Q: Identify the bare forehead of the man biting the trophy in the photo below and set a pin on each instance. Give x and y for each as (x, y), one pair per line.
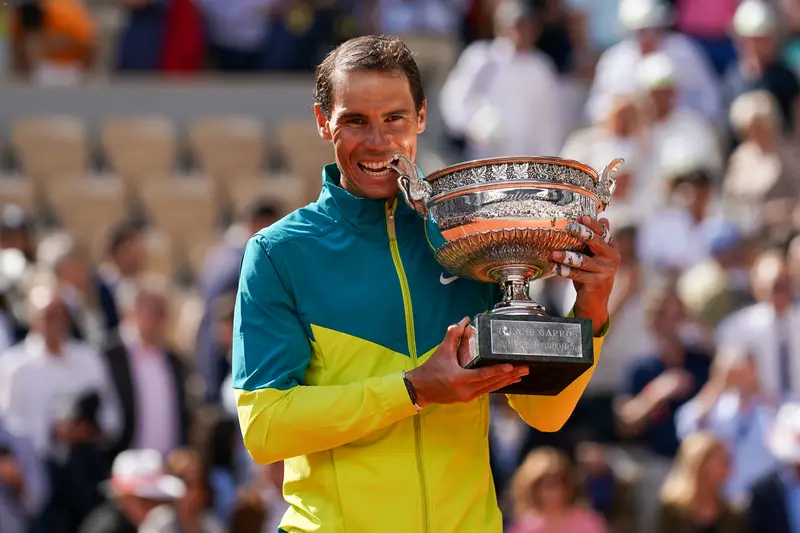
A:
(371, 92)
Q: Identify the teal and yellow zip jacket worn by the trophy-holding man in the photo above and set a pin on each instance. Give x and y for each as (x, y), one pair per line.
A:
(335, 301)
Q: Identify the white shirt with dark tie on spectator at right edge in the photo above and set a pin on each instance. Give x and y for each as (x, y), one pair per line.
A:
(760, 330)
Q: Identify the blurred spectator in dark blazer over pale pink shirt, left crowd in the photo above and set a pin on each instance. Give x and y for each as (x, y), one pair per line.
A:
(149, 378)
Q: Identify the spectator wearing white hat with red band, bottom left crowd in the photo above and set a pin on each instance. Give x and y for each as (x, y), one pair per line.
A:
(138, 484)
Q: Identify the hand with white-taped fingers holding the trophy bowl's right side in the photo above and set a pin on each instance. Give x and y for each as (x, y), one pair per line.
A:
(593, 273)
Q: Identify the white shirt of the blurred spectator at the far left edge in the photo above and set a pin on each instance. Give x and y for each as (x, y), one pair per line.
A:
(36, 387)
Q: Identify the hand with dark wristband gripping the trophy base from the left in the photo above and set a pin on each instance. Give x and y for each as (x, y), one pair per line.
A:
(441, 379)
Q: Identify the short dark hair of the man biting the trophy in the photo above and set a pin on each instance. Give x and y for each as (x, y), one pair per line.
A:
(367, 54)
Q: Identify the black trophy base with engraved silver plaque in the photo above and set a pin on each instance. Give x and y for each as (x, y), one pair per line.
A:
(557, 350)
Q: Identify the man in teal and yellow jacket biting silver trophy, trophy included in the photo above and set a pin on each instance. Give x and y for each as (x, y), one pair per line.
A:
(354, 360)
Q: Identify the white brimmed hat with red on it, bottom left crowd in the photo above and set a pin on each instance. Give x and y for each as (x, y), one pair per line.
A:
(141, 473)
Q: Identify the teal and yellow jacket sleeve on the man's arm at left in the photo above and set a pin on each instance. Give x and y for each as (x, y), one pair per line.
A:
(280, 415)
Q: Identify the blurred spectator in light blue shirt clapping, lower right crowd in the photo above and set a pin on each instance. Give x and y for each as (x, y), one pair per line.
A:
(733, 407)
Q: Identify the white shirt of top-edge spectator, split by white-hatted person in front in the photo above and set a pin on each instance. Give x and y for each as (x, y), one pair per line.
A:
(615, 76)
